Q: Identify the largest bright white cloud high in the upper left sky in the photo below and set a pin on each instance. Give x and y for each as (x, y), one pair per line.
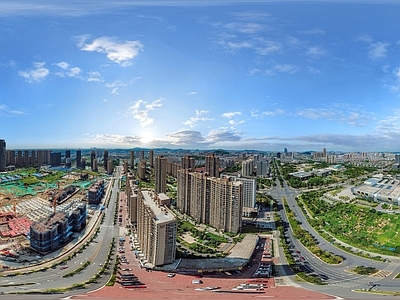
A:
(116, 51)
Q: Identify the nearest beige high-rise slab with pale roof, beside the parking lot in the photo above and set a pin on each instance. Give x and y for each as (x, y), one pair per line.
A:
(156, 229)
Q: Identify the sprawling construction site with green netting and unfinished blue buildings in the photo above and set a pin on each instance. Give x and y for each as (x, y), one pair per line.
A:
(41, 211)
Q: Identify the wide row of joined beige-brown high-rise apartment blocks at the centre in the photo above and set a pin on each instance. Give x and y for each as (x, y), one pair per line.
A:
(214, 201)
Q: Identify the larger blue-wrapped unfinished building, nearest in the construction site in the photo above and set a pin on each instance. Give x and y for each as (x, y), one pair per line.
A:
(55, 231)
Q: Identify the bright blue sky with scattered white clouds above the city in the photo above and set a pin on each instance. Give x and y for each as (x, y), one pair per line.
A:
(261, 75)
